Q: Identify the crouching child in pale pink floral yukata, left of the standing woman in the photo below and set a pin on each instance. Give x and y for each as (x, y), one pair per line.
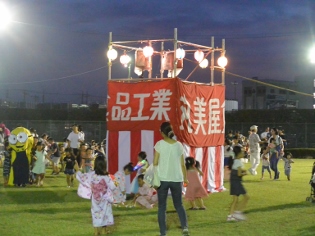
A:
(146, 196)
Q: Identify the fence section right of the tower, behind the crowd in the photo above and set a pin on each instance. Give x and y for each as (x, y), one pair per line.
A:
(298, 135)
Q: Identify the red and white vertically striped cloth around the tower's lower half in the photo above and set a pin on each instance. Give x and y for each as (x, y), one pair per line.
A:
(123, 147)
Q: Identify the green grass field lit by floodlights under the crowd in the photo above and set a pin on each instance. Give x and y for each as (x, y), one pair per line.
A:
(275, 208)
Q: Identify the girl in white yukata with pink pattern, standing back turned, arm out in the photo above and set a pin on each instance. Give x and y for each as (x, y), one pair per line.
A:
(101, 186)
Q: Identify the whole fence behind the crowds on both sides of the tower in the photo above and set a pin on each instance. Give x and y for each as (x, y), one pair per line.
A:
(297, 134)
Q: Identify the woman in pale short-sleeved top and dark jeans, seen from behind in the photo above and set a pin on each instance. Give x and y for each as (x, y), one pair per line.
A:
(171, 170)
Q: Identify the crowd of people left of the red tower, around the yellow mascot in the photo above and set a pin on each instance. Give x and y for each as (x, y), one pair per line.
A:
(45, 151)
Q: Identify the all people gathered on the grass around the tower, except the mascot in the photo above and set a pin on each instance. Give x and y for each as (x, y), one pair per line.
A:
(86, 161)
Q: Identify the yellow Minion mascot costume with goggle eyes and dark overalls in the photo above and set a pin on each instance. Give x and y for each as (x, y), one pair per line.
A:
(21, 142)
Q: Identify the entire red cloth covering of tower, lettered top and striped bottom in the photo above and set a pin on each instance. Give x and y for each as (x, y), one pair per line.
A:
(196, 111)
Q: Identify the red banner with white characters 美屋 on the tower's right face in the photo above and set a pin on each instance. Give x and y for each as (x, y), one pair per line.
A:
(200, 119)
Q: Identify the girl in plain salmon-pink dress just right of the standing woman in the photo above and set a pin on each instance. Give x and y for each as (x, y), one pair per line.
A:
(194, 191)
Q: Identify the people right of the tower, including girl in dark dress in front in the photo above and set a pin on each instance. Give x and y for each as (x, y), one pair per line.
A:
(267, 147)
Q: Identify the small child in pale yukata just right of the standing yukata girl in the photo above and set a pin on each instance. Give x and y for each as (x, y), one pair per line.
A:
(119, 192)
